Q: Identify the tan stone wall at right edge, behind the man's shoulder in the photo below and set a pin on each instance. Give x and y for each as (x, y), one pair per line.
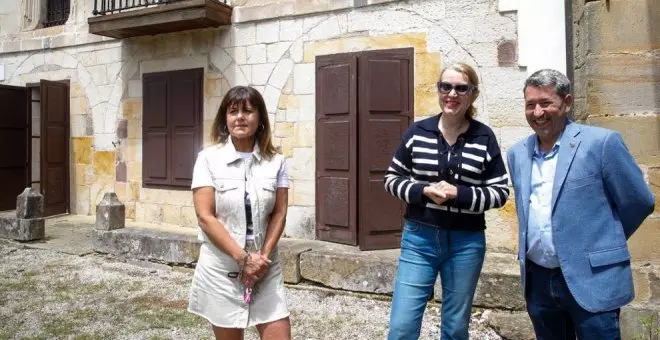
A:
(617, 86)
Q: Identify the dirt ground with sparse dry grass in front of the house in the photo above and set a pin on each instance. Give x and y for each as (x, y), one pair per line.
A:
(46, 294)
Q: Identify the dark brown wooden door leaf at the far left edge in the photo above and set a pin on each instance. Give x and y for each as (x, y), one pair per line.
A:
(14, 142)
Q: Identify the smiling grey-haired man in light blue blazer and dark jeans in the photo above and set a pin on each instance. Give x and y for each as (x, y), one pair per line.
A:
(579, 197)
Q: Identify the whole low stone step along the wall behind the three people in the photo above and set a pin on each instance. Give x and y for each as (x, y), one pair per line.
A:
(331, 265)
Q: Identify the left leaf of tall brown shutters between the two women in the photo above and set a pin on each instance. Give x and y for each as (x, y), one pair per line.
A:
(336, 148)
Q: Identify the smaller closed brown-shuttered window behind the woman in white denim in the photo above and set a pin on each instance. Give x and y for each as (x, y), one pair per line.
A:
(171, 127)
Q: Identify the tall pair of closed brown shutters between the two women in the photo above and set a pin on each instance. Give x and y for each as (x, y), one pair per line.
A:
(355, 138)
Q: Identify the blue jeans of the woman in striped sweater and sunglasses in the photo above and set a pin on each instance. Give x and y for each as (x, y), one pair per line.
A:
(425, 252)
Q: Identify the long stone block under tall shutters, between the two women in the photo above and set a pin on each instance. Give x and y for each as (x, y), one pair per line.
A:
(347, 268)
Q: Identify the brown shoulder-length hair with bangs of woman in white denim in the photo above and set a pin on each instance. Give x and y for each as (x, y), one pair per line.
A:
(240, 96)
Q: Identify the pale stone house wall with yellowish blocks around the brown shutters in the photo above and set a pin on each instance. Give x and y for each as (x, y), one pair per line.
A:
(275, 55)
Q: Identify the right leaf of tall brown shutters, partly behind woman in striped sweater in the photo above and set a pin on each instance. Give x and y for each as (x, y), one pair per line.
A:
(385, 80)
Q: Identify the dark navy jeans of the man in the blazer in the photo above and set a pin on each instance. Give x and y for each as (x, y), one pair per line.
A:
(556, 315)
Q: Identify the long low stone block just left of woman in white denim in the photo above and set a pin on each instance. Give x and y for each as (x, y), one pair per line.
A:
(147, 244)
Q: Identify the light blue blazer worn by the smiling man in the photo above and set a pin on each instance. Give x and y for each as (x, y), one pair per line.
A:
(599, 199)
